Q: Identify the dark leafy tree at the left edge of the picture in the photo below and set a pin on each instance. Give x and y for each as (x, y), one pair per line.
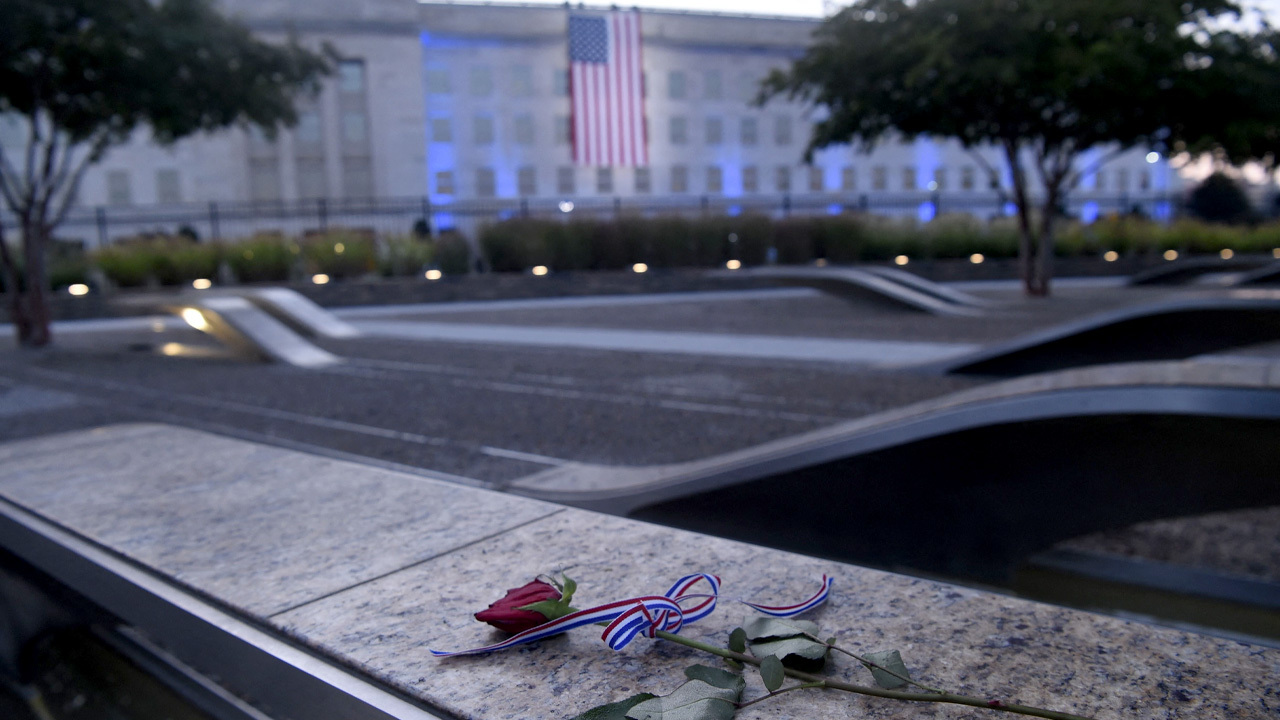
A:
(84, 75)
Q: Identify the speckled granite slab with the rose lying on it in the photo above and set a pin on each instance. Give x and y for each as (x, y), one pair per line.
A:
(962, 640)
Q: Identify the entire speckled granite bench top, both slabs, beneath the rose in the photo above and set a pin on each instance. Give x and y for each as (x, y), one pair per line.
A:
(373, 568)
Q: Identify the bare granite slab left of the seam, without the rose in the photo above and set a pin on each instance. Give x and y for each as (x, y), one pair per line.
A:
(259, 527)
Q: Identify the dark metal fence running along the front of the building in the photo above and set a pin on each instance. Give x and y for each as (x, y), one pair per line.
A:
(403, 216)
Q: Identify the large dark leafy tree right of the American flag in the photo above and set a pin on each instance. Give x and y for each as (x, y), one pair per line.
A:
(1044, 83)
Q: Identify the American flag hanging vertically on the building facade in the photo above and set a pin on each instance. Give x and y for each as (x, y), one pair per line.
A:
(606, 90)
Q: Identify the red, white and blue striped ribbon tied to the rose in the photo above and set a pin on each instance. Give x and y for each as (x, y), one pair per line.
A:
(647, 614)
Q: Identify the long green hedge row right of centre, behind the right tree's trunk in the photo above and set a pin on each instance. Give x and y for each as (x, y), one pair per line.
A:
(674, 241)
